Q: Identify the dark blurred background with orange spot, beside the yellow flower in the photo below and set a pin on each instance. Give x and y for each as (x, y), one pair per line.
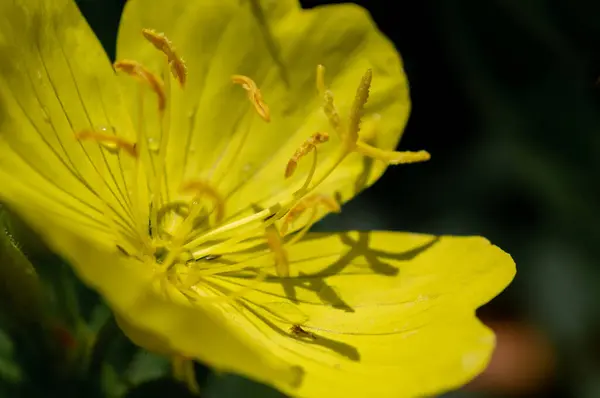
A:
(505, 99)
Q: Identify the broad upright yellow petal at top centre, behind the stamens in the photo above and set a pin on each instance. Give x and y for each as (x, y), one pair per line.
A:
(216, 134)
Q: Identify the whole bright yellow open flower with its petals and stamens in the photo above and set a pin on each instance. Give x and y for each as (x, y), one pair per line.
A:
(180, 183)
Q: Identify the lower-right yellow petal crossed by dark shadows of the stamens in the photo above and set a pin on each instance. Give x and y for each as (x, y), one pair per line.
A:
(379, 313)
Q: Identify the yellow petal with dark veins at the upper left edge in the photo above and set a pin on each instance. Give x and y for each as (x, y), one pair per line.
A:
(56, 81)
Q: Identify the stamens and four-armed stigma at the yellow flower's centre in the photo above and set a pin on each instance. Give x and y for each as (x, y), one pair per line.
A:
(182, 238)
